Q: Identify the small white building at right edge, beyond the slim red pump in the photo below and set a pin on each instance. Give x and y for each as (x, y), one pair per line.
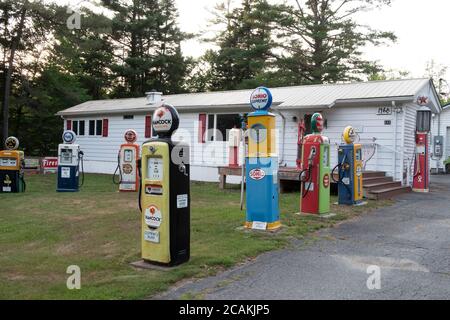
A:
(441, 128)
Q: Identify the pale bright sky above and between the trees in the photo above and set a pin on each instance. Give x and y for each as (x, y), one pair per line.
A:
(420, 25)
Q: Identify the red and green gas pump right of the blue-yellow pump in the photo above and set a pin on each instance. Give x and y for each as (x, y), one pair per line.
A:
(315, 177)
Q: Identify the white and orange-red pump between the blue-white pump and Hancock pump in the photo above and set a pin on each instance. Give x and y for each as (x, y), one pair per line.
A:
(127, 163)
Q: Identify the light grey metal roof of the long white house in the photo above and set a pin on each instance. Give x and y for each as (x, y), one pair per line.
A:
(310, 96)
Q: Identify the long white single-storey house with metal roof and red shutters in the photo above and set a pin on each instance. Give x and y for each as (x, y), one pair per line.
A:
(383, 112)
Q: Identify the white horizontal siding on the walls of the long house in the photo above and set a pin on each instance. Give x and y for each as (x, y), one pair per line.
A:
(101, 152)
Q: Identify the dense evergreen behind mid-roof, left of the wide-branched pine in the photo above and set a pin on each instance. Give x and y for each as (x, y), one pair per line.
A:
(245, 46)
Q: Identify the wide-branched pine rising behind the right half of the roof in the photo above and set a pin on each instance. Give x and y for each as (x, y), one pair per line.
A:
(323, 41)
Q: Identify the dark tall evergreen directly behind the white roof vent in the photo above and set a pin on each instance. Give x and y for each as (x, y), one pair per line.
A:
(147, 43)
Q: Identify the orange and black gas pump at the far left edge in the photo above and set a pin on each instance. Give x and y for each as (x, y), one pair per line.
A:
(11, 168)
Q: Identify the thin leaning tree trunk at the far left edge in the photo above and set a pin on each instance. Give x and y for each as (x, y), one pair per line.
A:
(7, 88)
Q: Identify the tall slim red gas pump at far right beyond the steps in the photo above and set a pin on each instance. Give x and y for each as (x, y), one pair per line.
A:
(421, 179)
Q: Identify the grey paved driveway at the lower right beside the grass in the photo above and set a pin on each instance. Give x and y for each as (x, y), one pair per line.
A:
(409, 242)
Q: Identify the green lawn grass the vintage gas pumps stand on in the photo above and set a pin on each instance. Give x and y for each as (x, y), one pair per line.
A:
(98, 229)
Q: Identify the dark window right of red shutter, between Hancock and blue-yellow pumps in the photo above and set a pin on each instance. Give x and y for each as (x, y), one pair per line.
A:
(220, 124)
